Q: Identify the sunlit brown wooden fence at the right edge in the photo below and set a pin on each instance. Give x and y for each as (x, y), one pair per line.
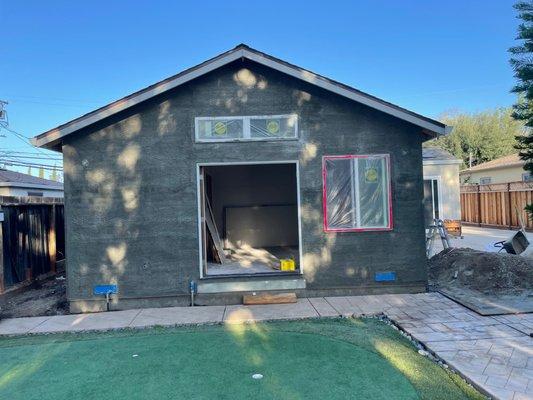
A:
(498, 205)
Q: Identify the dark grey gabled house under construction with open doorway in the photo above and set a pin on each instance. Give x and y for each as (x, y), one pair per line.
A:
(218, 173)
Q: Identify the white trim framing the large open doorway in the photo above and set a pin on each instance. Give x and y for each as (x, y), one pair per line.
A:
(199, 217)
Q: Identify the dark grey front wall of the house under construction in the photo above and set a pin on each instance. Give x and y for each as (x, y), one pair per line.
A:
(131, 197)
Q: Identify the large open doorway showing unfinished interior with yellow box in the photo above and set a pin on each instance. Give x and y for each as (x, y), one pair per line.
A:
(249, 219)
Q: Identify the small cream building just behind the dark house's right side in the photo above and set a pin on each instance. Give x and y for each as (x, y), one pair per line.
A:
(442, 198)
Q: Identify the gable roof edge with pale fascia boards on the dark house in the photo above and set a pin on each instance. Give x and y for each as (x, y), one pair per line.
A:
(50, 138)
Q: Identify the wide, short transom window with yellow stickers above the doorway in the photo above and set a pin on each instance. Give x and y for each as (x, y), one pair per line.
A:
(264, 127)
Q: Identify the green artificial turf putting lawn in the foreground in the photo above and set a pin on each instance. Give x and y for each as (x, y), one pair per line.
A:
(313, 359)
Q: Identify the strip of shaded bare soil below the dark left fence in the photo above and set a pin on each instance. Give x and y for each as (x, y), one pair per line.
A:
(41, 298)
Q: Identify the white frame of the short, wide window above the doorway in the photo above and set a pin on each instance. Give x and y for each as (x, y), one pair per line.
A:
(247, 132)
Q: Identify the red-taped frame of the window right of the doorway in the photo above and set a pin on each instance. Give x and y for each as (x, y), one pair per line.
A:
(355, 180)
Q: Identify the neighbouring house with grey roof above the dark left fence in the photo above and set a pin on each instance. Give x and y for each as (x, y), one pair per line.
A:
(17, 184)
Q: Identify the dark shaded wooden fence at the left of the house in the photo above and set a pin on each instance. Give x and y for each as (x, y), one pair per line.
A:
(32, 239)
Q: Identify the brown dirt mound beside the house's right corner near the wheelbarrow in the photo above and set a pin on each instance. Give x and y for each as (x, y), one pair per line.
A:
(497, 273)
